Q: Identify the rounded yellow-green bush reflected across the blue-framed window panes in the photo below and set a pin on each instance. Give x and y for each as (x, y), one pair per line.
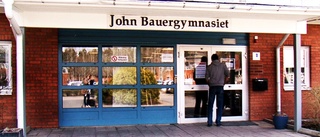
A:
(127, 76)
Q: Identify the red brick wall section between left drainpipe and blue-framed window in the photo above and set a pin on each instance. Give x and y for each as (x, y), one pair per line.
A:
(41, 58)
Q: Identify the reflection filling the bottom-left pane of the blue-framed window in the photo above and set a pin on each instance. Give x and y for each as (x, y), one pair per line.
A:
(76, 98)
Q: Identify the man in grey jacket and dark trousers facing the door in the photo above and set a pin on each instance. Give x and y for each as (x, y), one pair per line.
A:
(216, 75)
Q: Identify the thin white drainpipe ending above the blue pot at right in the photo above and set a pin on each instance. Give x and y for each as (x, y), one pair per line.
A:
(285, 37)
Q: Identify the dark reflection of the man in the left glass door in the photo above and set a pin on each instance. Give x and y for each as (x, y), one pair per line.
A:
(201, 95)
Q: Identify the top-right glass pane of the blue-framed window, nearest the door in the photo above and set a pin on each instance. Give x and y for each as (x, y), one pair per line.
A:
(156, 54)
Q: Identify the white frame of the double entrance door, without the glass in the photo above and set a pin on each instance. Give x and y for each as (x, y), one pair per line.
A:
(211, 50)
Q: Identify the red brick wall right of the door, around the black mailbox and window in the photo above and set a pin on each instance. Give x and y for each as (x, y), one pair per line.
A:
(263, 104)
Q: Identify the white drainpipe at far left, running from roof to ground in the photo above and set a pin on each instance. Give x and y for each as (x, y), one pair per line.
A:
(17, 31)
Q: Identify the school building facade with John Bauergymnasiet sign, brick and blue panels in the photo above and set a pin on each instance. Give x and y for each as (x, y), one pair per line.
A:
(144, 63)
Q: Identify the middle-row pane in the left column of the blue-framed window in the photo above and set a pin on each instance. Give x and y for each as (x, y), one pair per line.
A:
(77, 76)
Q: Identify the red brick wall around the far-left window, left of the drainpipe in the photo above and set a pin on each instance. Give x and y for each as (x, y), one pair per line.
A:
(8, 111)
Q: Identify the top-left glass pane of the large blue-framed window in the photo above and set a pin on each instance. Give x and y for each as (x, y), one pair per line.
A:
(80, 54)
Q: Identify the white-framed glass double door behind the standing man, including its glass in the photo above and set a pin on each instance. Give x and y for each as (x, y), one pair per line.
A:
(193, 90)
